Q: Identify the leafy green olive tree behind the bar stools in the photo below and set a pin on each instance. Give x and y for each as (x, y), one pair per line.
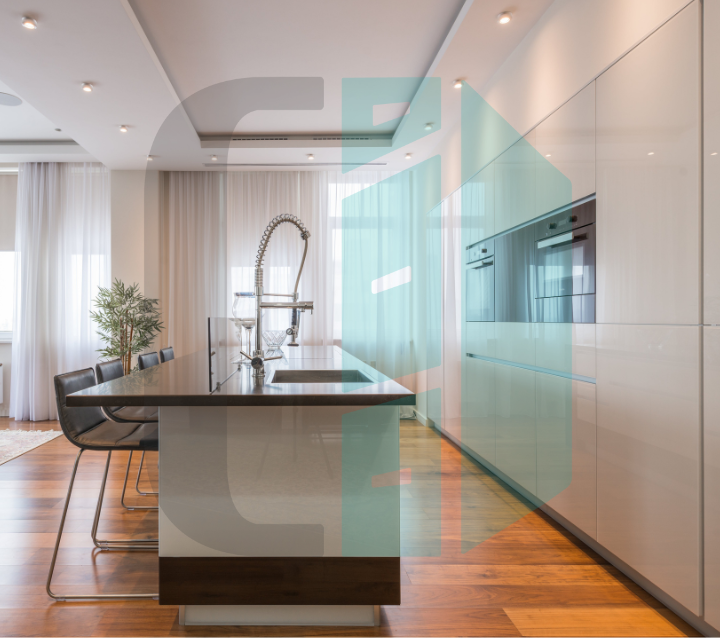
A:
(128, 322)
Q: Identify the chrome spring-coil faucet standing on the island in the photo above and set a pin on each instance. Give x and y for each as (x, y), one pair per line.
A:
(258, 355)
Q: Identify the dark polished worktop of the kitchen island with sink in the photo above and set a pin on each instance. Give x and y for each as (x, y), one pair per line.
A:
(185, 381)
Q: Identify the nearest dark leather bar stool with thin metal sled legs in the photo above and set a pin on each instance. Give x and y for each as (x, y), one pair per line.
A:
(88, 429)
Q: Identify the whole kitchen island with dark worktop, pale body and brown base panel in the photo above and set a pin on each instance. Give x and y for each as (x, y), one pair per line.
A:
(279, 499)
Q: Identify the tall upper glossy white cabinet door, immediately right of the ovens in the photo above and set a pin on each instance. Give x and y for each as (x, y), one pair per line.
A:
(648, 216)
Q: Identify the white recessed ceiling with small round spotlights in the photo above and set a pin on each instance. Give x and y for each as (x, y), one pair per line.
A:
(143, 56)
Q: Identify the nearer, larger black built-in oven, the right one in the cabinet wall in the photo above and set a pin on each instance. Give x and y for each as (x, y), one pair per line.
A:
(565, 266)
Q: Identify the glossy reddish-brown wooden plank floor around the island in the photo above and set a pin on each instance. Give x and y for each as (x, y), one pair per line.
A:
(529, 578)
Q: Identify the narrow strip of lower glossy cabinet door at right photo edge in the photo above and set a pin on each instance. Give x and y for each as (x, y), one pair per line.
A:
(711, 441)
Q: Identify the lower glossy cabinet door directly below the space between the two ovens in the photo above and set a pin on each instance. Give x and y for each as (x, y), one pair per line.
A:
(515, 440)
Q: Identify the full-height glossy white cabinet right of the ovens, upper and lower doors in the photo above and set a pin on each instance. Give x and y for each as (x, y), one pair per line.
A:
(648, 283)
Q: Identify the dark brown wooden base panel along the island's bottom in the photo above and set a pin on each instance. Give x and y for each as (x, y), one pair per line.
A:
(280, 581)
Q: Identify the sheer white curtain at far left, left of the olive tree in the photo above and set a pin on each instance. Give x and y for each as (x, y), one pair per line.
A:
(62, 244)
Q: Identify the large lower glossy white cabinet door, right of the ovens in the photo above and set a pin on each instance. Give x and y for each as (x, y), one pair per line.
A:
(648, 459)
